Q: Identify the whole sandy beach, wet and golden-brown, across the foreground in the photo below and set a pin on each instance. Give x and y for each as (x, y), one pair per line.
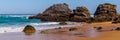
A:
(84, 32)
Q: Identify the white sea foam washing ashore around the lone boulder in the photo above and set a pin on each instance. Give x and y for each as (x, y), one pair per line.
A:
(38, 26)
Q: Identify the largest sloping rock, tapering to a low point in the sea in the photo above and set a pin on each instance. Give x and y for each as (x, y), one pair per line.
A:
(56, 12)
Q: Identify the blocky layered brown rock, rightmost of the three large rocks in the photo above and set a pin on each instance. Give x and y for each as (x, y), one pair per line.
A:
(105, 12)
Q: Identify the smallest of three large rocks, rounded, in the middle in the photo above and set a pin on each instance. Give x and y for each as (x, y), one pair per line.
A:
(80, 14)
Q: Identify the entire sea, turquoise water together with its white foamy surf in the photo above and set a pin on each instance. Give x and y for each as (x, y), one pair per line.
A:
(17, 22)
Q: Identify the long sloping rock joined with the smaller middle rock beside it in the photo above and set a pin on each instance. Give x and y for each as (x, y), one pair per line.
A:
(61, 12)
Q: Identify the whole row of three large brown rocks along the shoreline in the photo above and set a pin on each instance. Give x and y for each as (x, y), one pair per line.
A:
(61, 12)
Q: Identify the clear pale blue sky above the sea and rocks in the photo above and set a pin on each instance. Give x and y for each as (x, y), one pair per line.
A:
(38, 6)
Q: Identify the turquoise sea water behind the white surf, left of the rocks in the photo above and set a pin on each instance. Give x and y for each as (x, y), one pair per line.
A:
(10, 19)
